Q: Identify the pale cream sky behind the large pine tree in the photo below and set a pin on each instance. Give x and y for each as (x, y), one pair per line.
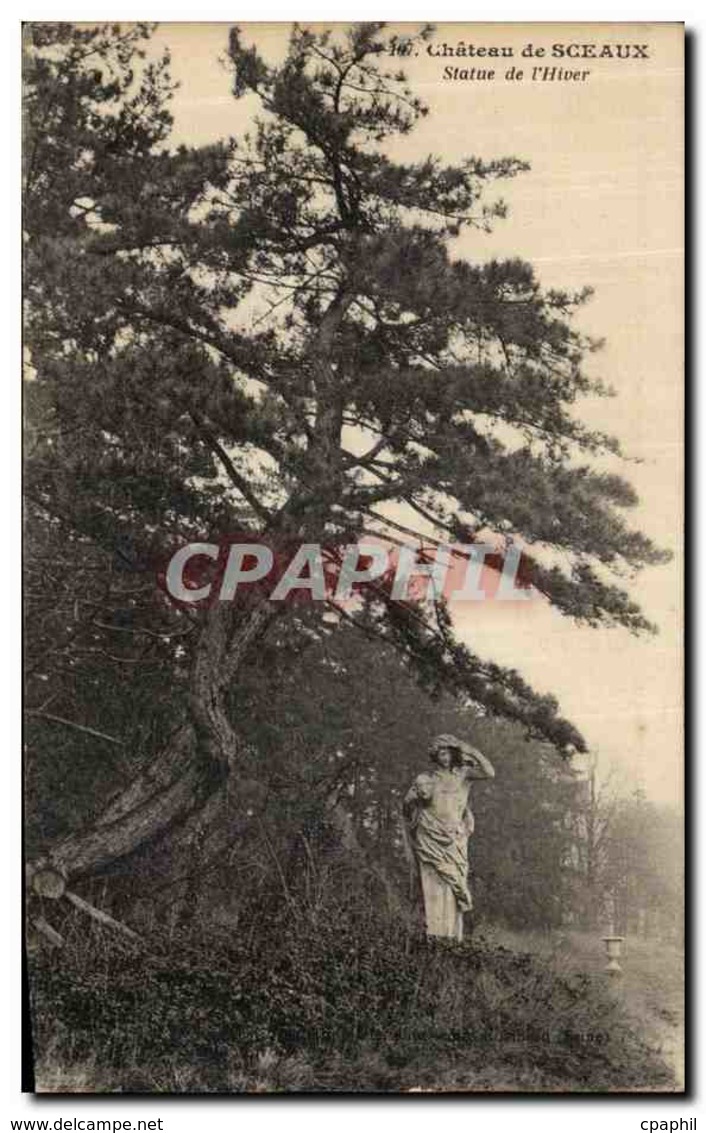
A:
(602, 206)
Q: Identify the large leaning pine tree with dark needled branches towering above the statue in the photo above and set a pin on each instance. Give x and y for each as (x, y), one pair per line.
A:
(273, 336)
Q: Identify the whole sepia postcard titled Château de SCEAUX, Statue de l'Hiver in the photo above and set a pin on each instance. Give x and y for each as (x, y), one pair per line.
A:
(354, 399)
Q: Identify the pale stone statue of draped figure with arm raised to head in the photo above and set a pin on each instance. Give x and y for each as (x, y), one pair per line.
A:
(439, 823)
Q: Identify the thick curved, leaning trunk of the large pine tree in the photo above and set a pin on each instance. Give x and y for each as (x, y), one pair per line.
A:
(197, 777)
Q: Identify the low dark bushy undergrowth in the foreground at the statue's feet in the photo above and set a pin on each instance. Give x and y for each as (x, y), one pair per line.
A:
(335, 999)
